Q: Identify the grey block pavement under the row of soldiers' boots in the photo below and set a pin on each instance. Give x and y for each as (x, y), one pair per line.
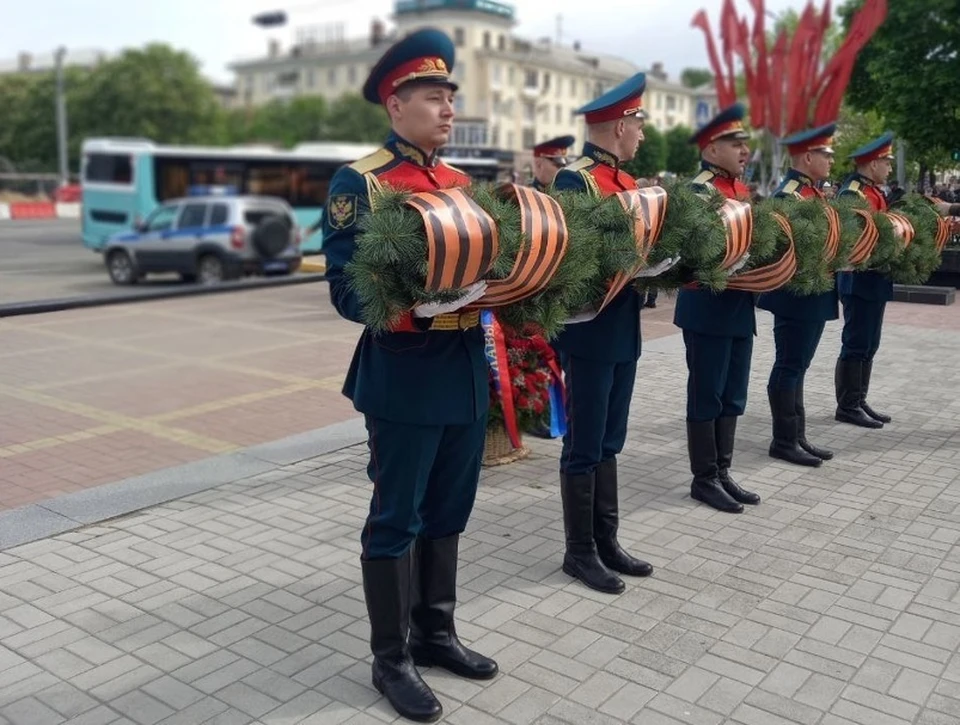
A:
(836, 602)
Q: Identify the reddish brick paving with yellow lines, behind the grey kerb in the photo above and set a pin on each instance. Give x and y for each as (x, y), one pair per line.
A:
(98, 395)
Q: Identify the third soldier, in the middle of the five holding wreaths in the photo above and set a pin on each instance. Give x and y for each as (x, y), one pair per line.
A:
(718, 330)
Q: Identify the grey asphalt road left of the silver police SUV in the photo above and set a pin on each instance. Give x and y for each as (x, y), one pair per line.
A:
(46, 260)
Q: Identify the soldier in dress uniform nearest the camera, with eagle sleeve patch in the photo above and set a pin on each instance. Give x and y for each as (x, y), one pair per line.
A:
(422, 388)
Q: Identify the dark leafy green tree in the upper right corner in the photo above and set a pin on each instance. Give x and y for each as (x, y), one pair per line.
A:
(910, 72)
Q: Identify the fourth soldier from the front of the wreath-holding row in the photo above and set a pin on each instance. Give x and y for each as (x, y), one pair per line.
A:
(798, 320)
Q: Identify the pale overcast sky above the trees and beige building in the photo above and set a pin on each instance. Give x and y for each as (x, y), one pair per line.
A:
(219, 31)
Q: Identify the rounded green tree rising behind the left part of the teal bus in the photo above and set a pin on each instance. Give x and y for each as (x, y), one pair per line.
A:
(155, 92)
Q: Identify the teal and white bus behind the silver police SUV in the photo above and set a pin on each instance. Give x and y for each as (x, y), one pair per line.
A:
(124, 179)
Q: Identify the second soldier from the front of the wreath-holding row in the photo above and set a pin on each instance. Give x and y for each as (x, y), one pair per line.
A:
(599, 358)
